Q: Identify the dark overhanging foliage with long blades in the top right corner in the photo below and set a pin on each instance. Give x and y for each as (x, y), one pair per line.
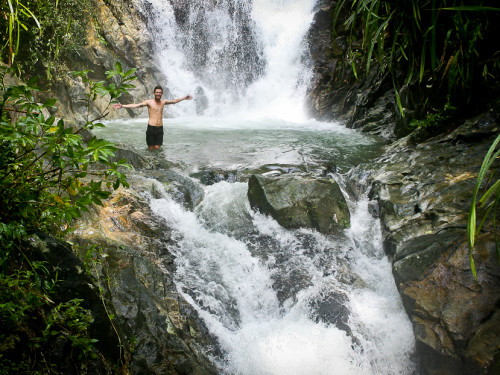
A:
(449, 46)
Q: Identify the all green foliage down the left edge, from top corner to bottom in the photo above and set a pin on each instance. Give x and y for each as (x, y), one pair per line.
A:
(48, 175)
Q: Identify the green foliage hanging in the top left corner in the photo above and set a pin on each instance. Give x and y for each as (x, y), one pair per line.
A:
(39, 35)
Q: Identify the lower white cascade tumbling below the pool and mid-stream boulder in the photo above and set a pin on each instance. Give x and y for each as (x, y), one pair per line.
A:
(288, 302)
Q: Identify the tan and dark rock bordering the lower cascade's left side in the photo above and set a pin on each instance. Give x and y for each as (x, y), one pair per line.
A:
(136, 275)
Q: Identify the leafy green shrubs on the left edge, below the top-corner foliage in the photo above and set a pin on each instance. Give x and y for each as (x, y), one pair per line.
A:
(48, 176)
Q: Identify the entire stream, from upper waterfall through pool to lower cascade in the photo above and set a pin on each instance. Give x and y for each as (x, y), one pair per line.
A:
(278, 301)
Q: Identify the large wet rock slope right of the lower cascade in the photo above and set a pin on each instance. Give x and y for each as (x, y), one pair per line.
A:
(423, 194)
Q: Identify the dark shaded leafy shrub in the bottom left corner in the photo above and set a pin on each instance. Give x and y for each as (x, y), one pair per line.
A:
(31, 324)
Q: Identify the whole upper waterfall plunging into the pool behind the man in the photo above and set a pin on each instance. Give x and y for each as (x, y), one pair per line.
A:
(237, 57)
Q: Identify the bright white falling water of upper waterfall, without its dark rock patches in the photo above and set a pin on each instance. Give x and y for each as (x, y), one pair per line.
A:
(279, 28)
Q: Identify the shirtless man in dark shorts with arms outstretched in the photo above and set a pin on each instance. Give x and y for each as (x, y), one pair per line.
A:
(154, 134)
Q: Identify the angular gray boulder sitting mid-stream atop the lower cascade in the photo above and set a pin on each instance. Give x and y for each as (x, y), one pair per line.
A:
(300, 202)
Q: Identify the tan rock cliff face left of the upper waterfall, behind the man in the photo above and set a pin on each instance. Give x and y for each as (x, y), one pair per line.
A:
(117, 33)
